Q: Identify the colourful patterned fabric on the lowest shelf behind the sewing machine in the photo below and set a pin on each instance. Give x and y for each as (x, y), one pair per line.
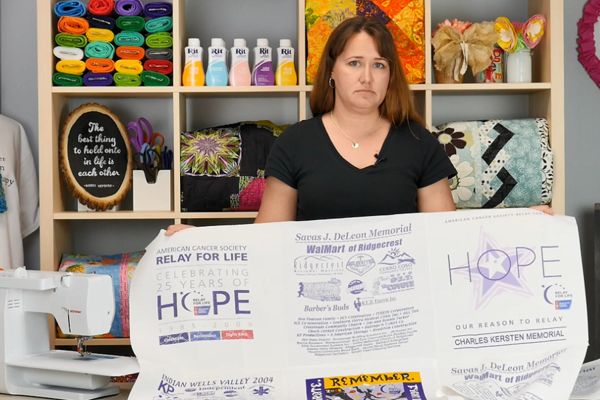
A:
(121, 268)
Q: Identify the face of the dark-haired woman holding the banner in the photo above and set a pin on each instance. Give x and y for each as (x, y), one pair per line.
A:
(361, 75)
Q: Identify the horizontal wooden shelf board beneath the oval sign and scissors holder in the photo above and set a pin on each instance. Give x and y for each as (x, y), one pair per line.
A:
(124, 215)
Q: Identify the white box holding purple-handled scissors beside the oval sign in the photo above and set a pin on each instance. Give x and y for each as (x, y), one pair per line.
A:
(156, 196)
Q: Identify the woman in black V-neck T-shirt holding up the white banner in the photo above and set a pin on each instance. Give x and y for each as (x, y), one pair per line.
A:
(366, 151)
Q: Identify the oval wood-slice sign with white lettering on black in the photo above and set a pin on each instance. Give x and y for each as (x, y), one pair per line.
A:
(96, 157)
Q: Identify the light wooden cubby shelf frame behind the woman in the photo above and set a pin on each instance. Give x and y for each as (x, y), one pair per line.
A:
(546, 99)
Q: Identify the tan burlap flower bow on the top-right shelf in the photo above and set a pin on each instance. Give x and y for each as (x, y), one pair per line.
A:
(458, 45)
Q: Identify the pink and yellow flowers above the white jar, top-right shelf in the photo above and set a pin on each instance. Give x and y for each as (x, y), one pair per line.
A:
(517, 36)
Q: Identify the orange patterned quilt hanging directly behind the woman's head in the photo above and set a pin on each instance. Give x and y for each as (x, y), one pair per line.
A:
(403, 18)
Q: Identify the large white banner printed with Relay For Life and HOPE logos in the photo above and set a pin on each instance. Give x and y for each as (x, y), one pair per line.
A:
(485, 304)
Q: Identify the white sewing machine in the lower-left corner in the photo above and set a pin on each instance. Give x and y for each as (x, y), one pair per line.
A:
(82, 305)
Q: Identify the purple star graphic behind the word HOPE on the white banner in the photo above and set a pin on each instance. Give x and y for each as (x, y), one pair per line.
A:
(495, 270)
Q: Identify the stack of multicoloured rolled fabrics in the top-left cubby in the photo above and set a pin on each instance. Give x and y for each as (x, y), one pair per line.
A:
(113, 42)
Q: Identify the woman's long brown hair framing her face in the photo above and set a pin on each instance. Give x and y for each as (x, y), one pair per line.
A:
(398, 105)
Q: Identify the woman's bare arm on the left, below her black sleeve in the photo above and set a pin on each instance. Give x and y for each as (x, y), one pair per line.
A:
(279, 202)
